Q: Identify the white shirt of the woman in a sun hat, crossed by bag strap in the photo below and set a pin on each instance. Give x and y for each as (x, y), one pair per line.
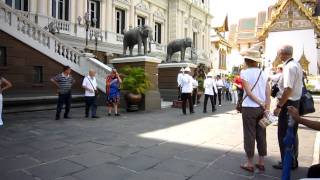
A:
(251, 75)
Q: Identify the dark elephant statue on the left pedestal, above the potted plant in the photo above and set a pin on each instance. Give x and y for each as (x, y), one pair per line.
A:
(140, 36)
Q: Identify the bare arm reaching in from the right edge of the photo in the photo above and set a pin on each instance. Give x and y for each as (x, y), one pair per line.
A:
(296, 116)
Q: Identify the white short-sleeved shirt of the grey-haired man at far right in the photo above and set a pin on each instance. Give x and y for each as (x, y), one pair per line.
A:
(292, 78)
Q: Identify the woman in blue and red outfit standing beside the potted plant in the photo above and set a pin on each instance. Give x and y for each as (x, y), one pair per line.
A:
(113, 82)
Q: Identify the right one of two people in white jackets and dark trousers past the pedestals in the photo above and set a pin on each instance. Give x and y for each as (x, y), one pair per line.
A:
(209, 89)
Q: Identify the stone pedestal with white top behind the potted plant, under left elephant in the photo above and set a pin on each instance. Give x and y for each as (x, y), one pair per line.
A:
(151, 100)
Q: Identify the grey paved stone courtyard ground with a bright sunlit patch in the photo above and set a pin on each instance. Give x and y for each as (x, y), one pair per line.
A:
(161, 145)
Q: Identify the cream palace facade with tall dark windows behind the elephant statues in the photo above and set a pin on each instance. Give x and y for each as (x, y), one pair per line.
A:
(109, 19)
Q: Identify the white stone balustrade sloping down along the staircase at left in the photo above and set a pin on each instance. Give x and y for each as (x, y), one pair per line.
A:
(19, 26)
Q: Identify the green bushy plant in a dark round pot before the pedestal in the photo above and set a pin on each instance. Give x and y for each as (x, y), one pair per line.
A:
(136, 83)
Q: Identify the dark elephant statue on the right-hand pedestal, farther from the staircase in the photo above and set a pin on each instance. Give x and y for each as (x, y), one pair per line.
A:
(176, 46)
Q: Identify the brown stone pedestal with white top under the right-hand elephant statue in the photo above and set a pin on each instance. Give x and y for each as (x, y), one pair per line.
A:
(168, 86)
